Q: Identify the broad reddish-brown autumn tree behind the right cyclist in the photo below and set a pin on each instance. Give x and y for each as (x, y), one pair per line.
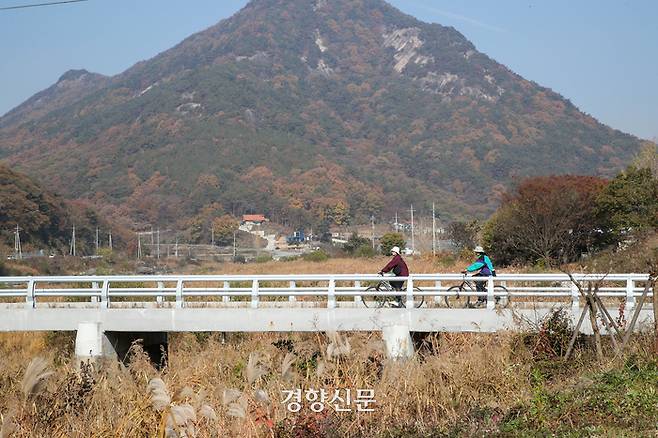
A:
(553, 218)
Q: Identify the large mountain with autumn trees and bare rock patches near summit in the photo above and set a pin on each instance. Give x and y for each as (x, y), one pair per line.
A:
(308, 111)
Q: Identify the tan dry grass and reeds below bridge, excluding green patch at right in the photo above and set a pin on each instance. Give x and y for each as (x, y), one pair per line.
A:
(210, 388)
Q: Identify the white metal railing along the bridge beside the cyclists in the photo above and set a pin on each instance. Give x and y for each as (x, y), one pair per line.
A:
(330, 291)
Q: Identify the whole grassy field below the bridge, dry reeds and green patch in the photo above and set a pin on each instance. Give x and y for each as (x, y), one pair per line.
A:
(457, 385)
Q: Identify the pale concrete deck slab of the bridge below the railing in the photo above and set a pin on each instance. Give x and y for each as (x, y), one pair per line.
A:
(299, 319)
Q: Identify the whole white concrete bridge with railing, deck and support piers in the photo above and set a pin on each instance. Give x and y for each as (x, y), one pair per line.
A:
(108, 312)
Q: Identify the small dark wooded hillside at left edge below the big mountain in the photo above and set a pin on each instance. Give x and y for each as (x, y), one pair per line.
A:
(44, 218)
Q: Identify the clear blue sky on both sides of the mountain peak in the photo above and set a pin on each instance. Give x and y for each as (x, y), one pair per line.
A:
(600, 54)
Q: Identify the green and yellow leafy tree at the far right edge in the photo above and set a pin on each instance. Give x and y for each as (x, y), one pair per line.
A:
(630, 201)
